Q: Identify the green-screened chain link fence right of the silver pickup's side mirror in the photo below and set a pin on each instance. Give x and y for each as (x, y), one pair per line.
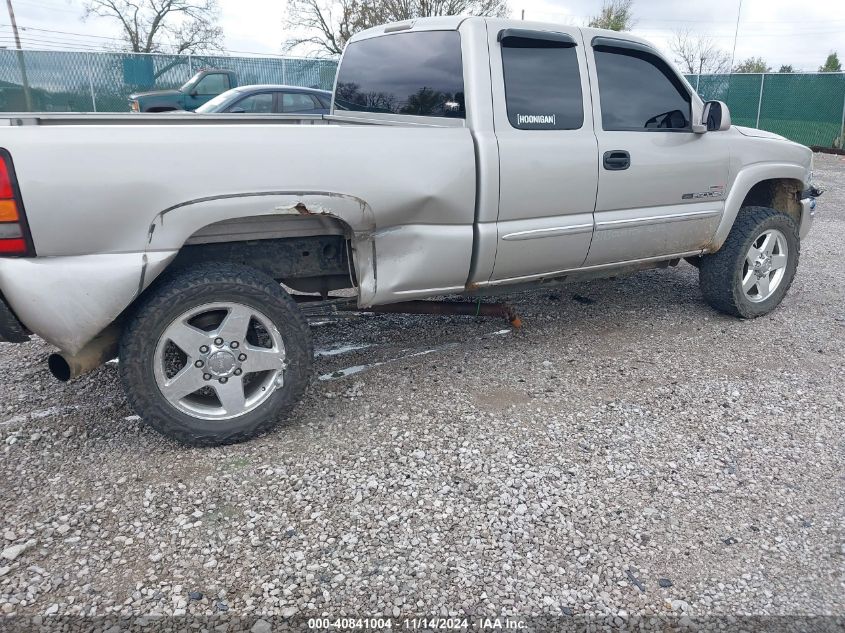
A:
(808, 108)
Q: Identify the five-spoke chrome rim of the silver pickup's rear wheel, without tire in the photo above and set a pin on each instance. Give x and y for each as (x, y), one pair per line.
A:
(219, 361)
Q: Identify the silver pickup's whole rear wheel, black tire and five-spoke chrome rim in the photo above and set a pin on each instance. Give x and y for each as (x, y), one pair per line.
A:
(217, 354)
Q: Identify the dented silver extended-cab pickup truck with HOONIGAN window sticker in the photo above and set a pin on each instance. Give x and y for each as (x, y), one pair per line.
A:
(461, 155)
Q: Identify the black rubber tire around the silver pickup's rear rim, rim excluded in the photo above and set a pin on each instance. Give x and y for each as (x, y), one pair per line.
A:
(196, 286)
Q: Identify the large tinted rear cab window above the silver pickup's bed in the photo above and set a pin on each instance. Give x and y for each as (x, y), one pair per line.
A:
(404, 73)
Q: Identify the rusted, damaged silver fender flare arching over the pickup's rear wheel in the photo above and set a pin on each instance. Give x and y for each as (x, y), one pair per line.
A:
(170, 228)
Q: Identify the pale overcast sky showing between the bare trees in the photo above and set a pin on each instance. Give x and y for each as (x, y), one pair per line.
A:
(780, 31)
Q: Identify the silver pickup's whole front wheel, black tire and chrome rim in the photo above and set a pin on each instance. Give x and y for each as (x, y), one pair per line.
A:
(749, 276)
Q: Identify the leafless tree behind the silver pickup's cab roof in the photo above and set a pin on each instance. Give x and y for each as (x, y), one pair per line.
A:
(327, 25)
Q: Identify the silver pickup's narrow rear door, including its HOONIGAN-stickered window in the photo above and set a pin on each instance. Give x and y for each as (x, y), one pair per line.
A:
(548, 158)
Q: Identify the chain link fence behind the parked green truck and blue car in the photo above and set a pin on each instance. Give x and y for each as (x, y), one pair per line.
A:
(65, 81)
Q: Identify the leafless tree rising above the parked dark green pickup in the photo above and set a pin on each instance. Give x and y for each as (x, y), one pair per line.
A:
(173, 26)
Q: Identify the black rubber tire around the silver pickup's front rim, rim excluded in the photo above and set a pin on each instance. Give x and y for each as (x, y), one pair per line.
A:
(720, 274)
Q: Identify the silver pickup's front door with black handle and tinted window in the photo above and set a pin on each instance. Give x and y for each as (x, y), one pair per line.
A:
(661, 186)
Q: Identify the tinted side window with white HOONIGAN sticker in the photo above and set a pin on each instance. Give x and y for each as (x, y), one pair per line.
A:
(542, 84)
